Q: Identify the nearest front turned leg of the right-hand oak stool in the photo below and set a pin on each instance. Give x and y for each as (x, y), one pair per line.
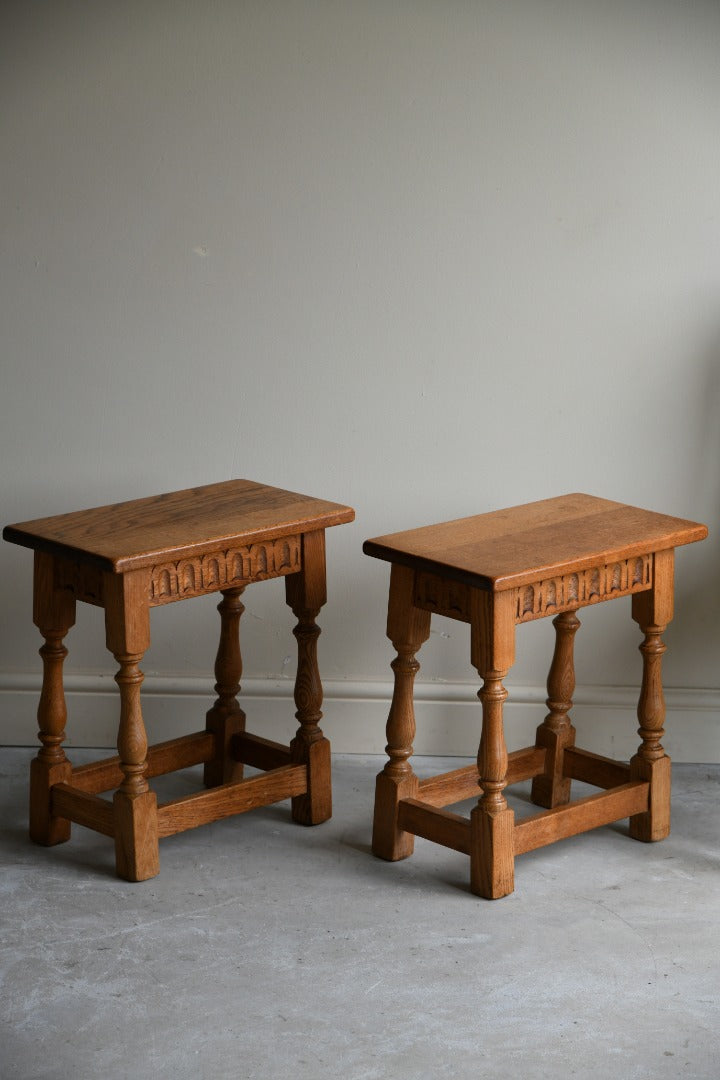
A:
(493, 822)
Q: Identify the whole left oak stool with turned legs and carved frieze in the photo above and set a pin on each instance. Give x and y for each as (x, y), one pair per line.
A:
(133, 557)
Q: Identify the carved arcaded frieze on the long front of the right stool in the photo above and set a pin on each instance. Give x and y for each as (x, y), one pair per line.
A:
(583, 588)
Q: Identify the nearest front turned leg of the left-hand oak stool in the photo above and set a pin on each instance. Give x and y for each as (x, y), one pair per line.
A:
(135, 806)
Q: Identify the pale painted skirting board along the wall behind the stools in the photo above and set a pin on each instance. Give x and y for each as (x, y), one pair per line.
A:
(449, 717)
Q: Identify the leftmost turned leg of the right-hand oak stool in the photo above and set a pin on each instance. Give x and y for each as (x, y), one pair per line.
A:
(407, 629)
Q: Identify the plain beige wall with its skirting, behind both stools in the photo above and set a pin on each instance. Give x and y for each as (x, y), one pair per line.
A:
(426, 259)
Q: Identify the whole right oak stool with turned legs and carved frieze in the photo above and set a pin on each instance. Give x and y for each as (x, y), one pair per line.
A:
(495, 572)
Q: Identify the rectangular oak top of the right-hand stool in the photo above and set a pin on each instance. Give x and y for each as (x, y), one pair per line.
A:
(511, 548)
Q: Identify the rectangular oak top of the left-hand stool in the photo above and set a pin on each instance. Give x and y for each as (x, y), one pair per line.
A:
(127, 536)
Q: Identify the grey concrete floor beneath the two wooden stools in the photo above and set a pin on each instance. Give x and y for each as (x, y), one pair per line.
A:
(267, 951)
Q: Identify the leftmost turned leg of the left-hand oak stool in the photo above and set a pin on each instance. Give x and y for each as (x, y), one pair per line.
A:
(55, 615)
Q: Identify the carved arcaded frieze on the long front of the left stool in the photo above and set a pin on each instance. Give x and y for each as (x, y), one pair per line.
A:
(222, 570)
